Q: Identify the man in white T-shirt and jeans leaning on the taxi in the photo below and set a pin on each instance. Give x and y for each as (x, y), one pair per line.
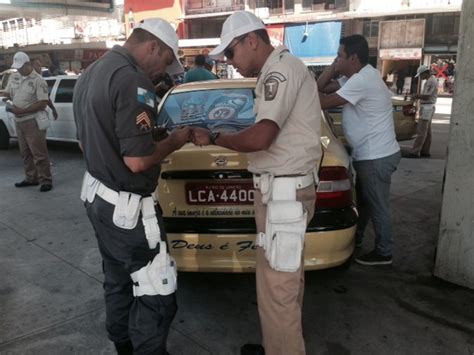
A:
(367, 121)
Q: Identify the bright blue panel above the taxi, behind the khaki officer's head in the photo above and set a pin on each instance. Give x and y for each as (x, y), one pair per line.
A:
(314, 43)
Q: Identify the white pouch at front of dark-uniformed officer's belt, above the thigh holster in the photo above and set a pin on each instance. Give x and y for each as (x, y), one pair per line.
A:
(127, 210)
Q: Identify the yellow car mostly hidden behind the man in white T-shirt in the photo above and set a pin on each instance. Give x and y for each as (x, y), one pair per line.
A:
(404, 114)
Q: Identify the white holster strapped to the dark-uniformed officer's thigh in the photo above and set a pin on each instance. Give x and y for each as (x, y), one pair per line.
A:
(158, 277)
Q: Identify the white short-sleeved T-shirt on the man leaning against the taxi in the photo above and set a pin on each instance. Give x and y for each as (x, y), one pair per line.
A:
(367, 118)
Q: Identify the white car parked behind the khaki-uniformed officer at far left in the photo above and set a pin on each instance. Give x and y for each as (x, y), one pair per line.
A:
(63, 129)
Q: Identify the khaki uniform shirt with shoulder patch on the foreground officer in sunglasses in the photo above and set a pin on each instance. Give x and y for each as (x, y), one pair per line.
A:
(287, 94)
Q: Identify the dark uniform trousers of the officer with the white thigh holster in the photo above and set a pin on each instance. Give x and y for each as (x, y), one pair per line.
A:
(144, 320)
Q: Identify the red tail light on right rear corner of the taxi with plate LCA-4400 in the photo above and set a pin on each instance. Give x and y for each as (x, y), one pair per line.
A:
(334, 189)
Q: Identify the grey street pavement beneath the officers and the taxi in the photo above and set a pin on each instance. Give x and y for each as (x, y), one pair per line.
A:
(51, 290)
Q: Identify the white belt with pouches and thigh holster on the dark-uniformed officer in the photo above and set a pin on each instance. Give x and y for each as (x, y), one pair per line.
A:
(159, 276)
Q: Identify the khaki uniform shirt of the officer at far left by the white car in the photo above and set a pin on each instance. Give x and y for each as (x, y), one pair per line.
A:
(26, 90)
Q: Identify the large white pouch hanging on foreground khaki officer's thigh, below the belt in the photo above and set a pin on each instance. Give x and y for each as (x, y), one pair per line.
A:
(284, 235)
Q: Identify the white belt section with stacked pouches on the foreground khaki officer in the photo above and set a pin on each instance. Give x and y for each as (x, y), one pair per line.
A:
(285, 227)
